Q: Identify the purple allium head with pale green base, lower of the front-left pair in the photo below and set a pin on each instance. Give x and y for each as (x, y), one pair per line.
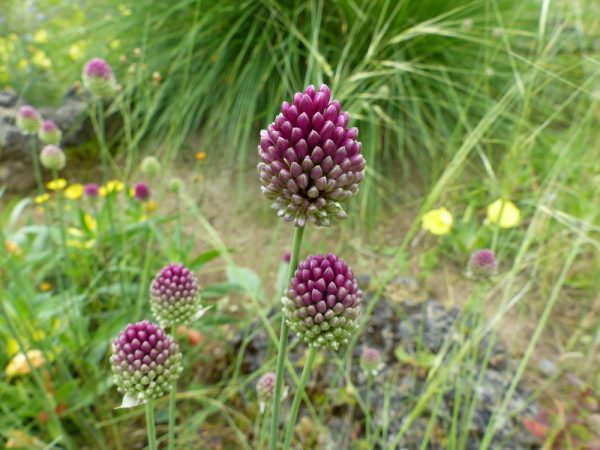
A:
(145, 361)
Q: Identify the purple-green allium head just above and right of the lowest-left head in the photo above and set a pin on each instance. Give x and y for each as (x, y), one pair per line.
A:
(175, 295)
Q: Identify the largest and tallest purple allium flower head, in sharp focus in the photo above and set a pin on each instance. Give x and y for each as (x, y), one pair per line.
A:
(310, 160)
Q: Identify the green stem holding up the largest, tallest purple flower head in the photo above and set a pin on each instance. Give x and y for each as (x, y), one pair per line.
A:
(281, 352)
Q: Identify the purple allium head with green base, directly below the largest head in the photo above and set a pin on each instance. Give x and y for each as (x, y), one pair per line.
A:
(323, 301)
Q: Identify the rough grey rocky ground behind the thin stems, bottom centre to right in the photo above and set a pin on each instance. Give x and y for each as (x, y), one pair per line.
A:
(410, 335)
